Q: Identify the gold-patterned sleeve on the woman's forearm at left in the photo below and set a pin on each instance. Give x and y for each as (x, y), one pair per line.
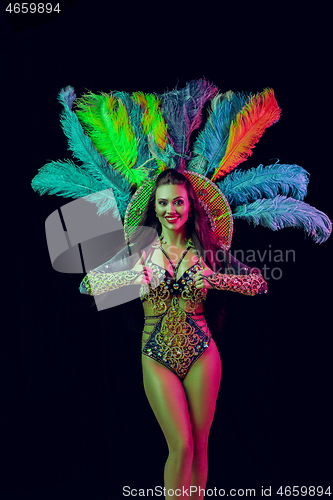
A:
(98, 283)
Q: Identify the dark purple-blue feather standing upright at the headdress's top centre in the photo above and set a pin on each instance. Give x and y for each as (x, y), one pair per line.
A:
(181, 110)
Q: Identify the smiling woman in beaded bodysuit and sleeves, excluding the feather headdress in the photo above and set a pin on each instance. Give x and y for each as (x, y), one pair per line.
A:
(180, 361)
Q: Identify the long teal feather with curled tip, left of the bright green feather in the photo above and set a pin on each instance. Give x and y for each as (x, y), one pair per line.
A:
(93, 162)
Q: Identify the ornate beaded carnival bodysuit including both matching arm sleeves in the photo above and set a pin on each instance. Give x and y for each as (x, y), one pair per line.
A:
(175, 332)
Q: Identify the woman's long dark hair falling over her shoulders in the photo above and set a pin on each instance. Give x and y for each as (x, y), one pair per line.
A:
(197, 226)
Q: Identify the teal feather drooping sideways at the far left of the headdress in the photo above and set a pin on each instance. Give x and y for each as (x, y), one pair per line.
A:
(64, 178)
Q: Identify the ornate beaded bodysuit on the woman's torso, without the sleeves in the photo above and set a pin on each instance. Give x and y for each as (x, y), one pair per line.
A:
(176, 334)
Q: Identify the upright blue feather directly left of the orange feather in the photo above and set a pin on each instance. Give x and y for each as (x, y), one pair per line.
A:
(210, 145)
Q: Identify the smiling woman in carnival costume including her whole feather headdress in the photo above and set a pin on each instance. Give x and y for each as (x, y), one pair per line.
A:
(122, 140)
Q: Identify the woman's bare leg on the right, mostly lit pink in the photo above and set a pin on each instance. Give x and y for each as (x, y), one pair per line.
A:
(201, 385)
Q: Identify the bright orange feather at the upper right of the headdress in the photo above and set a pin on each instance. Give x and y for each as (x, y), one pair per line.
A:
(259, 113)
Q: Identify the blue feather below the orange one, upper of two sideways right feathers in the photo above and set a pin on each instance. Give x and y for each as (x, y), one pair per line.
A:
(265, 182)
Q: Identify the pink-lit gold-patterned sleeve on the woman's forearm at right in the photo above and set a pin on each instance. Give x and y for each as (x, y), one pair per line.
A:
(250, 284)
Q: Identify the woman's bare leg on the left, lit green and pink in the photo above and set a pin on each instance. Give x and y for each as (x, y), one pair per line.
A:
(166, 396)
